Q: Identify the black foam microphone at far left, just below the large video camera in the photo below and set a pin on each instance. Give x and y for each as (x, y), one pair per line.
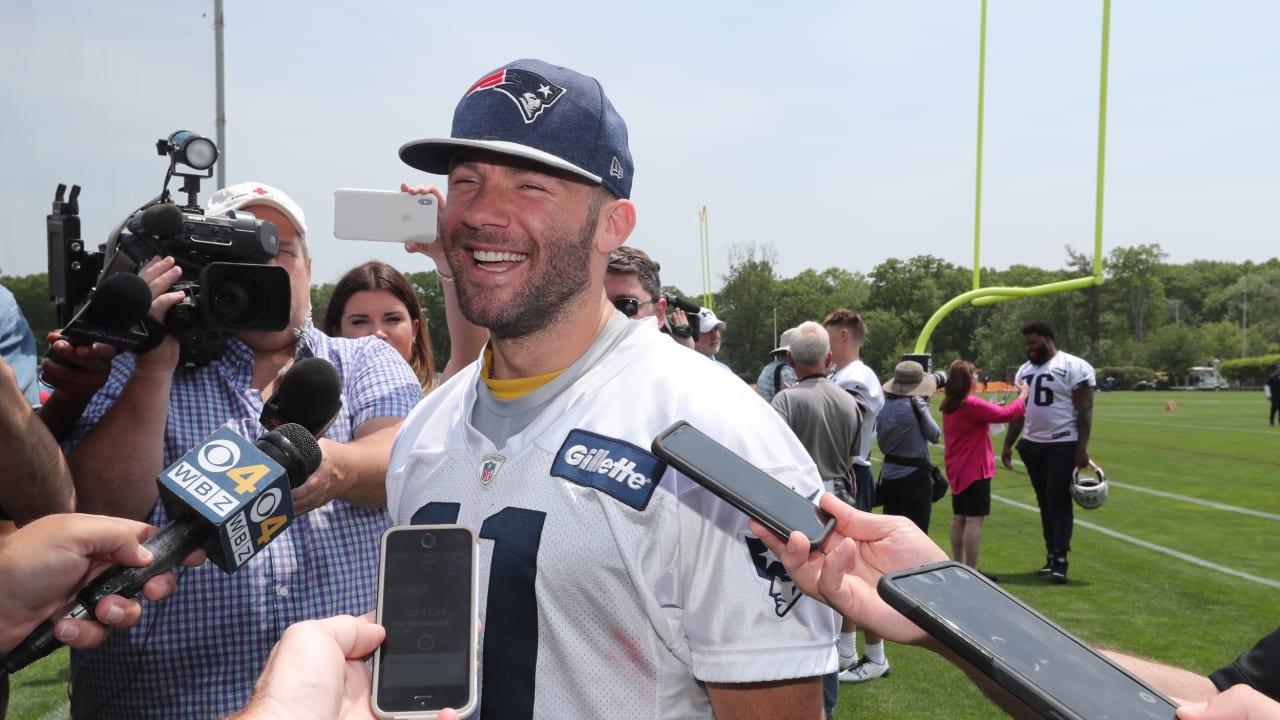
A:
(112, 316)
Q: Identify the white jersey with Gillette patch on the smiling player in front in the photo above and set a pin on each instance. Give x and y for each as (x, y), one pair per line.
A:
(611, 586)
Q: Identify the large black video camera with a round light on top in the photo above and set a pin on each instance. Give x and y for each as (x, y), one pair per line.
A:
(227, 289)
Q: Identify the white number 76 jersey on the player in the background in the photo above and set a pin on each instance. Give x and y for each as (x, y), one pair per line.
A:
(1050, 412)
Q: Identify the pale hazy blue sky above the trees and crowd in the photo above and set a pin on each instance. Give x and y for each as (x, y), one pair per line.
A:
(842, 134)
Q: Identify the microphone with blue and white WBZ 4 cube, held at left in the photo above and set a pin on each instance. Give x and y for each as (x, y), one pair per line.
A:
(226, 495)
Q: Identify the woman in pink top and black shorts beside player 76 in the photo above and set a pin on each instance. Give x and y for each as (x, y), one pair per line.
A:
(971, 464)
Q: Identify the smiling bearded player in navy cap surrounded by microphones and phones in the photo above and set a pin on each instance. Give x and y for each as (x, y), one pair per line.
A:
(610, 585)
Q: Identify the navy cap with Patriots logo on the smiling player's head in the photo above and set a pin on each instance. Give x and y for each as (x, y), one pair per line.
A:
(541, 112)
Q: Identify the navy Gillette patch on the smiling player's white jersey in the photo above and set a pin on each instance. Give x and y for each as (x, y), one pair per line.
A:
(614, 467)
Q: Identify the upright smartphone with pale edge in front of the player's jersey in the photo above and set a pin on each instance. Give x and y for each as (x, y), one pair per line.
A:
(427, 600)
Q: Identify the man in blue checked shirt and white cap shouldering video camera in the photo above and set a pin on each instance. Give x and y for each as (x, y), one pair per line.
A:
(202, 651)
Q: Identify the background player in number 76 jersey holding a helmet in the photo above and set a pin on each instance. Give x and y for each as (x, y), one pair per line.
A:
(1058, 423)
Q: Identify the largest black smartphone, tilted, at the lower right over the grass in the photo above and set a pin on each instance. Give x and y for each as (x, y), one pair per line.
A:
(1052, 671)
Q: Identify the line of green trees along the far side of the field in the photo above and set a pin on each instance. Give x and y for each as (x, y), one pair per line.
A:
(1148, 317)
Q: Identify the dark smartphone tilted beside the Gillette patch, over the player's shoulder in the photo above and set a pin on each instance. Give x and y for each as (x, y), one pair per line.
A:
(742, 485)
